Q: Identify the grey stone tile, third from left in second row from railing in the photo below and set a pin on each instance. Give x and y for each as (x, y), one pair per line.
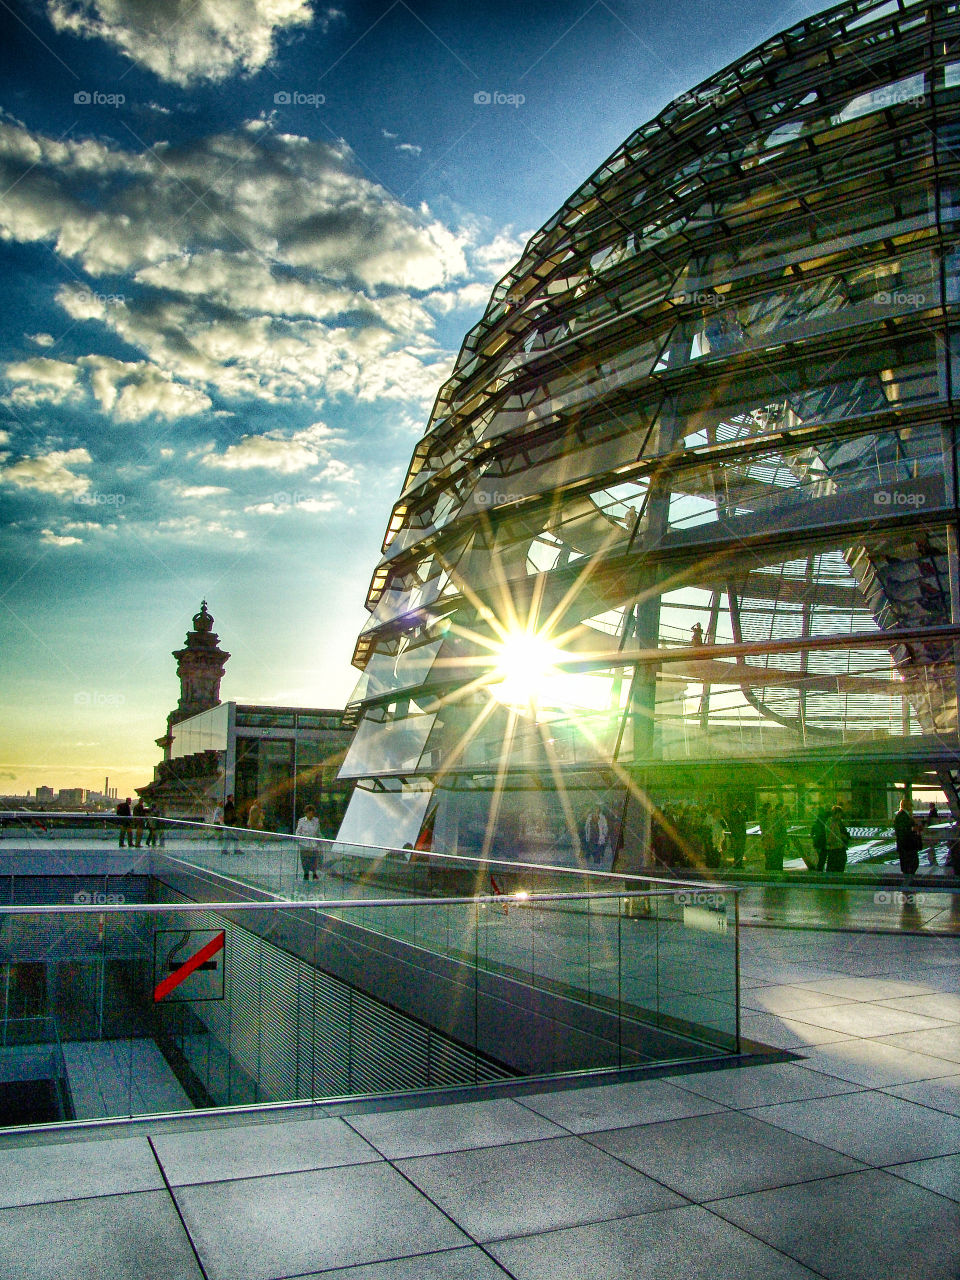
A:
(534, 1187)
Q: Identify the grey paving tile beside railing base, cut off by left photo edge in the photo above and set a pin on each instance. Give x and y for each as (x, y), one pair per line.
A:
(71, 1171)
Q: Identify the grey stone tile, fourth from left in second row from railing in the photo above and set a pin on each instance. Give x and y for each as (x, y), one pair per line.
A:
(706, 1158)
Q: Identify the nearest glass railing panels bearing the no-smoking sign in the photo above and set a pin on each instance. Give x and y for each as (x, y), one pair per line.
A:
(166, 1005)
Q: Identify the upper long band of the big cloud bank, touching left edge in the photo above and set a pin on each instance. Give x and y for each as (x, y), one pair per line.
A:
(295, 202)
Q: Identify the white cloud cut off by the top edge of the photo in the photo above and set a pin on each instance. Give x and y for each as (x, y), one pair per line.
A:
(186, 43)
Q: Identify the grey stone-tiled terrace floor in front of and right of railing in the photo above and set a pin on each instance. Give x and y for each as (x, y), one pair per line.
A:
(844, 1163)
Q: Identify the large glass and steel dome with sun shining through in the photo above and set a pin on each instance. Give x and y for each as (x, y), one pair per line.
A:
(719, 390)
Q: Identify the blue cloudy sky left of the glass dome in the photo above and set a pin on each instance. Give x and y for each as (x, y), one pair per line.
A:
(241, 243)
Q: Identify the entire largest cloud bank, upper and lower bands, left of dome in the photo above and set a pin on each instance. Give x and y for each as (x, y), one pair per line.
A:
(249, 266)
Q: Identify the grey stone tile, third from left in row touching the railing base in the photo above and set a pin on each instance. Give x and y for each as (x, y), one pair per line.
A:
(431, 1131)
